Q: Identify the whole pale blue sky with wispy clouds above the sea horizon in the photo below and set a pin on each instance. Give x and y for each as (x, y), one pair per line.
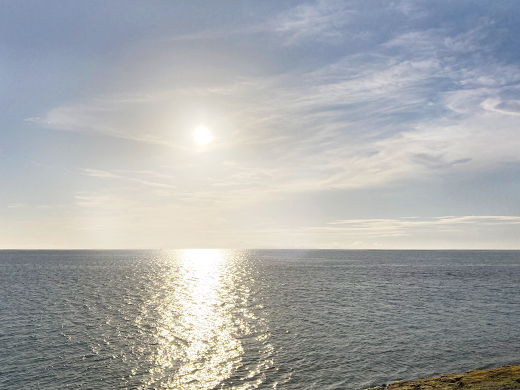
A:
(355, 124)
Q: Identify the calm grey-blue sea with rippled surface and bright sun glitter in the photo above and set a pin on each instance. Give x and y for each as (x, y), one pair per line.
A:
(210, 319)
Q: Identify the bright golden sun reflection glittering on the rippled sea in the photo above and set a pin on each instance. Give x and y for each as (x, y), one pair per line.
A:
(204, 315)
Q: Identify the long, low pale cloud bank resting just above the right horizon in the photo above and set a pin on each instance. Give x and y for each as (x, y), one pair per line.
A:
(449, 232)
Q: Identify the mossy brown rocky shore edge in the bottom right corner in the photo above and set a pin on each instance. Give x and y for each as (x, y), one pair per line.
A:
(503, 378)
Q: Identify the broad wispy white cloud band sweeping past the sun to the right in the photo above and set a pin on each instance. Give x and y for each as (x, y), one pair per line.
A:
(365, 120)
